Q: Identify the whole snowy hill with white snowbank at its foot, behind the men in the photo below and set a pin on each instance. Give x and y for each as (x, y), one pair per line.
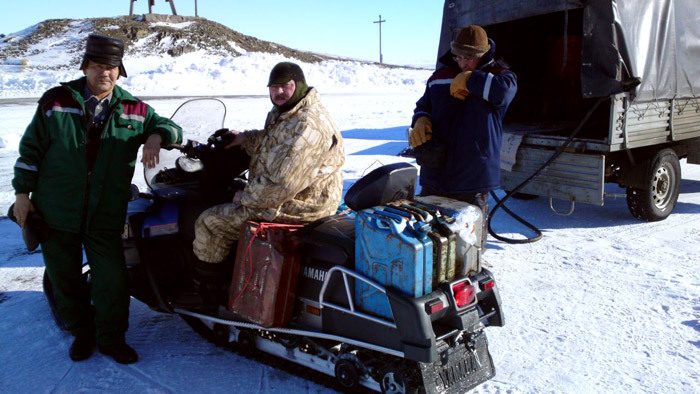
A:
(178, 56)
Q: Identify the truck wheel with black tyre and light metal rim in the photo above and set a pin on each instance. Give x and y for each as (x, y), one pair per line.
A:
(657, 200)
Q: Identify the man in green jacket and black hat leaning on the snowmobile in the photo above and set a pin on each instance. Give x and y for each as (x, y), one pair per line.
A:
(76, 161)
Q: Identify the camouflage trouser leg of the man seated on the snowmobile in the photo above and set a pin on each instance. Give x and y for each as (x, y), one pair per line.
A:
(218, 228)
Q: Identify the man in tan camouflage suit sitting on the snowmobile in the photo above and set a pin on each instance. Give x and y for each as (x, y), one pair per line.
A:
(294, 174)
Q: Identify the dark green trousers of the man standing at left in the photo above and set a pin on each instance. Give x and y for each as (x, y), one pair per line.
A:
(108, 316)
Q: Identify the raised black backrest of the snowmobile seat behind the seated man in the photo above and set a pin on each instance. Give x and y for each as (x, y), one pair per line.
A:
(383, 185)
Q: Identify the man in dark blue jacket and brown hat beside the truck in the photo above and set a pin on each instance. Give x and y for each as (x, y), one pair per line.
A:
(462, 110)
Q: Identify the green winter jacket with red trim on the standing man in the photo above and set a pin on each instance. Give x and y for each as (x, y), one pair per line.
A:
(52, 163)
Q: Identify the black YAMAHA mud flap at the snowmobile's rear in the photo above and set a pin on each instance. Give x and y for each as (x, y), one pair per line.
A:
(460, 368)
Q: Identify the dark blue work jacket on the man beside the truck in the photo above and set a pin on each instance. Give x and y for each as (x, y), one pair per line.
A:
(471, 128)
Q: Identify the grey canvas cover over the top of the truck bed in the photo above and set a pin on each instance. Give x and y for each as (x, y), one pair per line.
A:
(655, 40)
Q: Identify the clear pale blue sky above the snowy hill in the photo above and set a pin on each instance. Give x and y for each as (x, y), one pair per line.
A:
(409, 35)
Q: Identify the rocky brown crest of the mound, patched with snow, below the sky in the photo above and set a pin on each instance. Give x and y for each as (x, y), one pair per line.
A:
(144, 35)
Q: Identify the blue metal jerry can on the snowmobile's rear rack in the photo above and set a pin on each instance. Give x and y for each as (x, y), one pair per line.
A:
(394, 251)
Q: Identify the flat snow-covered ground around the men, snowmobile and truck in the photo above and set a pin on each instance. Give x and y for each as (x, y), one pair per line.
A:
(603, 303)
